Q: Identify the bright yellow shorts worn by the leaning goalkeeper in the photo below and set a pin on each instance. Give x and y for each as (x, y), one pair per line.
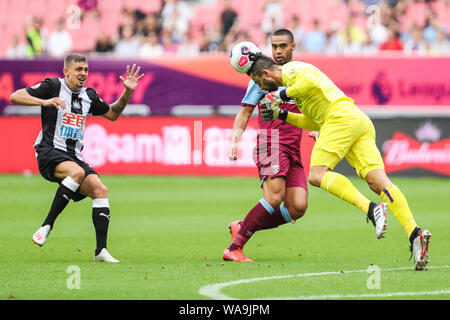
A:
(347, 132)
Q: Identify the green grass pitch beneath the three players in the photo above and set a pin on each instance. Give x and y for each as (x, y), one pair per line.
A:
(170, 232)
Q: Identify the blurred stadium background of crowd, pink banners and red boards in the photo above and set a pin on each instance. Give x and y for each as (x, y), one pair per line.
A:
(391, 56)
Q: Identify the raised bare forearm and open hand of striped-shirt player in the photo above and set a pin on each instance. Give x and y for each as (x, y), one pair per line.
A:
(130, 83)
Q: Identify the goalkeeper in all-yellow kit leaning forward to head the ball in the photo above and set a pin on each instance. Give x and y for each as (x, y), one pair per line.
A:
(345, 131)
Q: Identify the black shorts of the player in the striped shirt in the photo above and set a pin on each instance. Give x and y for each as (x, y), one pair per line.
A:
(49, 158)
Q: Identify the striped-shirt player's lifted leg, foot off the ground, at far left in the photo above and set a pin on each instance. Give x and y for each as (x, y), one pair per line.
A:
(71, 175)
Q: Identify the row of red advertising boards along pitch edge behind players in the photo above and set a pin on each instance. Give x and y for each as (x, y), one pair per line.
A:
(199, 146)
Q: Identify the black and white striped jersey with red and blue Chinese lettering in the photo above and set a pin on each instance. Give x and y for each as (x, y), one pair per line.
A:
(64, 129)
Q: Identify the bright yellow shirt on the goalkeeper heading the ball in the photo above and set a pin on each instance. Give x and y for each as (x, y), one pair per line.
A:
(313, 92)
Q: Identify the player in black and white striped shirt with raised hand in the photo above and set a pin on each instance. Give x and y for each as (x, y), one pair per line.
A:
(65, 103)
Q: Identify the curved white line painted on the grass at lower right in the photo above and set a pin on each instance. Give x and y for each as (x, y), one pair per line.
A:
(213, 291)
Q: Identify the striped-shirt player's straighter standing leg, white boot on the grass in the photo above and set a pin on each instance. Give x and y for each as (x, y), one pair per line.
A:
(95, 189)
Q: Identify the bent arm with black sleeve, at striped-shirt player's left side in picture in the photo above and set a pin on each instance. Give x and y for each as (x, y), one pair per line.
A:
(38, 95)
